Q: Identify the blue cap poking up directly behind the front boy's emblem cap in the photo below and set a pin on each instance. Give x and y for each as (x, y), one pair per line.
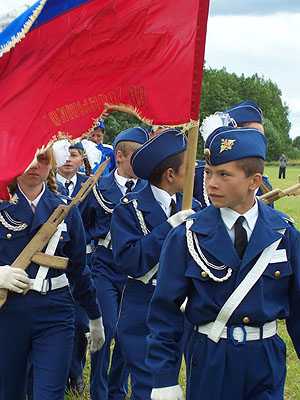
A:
(244, 112)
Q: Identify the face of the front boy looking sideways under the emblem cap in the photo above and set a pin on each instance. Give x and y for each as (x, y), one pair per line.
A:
(228, 186)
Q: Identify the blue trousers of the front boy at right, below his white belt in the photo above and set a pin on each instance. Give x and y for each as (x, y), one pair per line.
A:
(255, 370)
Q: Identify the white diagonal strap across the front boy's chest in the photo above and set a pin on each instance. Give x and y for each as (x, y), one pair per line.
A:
(242, 290)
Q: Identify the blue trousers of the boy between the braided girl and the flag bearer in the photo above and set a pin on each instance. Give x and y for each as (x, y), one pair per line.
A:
(112, 385)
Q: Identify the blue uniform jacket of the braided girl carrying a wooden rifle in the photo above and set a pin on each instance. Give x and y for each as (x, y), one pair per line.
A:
(71, 245)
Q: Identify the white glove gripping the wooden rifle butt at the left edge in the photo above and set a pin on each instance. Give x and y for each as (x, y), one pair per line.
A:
(13, 279)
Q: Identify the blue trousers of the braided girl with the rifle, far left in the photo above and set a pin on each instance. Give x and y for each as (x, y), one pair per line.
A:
(42, 327)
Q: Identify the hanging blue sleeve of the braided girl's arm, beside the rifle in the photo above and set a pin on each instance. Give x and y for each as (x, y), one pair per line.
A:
(78, 273)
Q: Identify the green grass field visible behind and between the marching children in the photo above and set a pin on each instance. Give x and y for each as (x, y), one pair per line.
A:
(290, 206)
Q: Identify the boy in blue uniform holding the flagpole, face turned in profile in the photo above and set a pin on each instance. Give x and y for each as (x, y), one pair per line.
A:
(140, 224)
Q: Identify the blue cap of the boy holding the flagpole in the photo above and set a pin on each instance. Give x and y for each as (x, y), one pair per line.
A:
(160, 147)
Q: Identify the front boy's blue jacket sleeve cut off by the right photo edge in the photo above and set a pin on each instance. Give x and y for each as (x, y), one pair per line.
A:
(293, 321)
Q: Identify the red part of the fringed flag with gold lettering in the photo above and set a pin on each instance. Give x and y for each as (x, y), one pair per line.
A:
(144, 53)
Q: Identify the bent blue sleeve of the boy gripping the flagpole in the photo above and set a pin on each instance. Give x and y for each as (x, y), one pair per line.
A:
(135, 253)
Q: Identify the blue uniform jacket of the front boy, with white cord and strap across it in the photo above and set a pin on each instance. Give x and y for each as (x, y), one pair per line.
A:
(276, 295)
